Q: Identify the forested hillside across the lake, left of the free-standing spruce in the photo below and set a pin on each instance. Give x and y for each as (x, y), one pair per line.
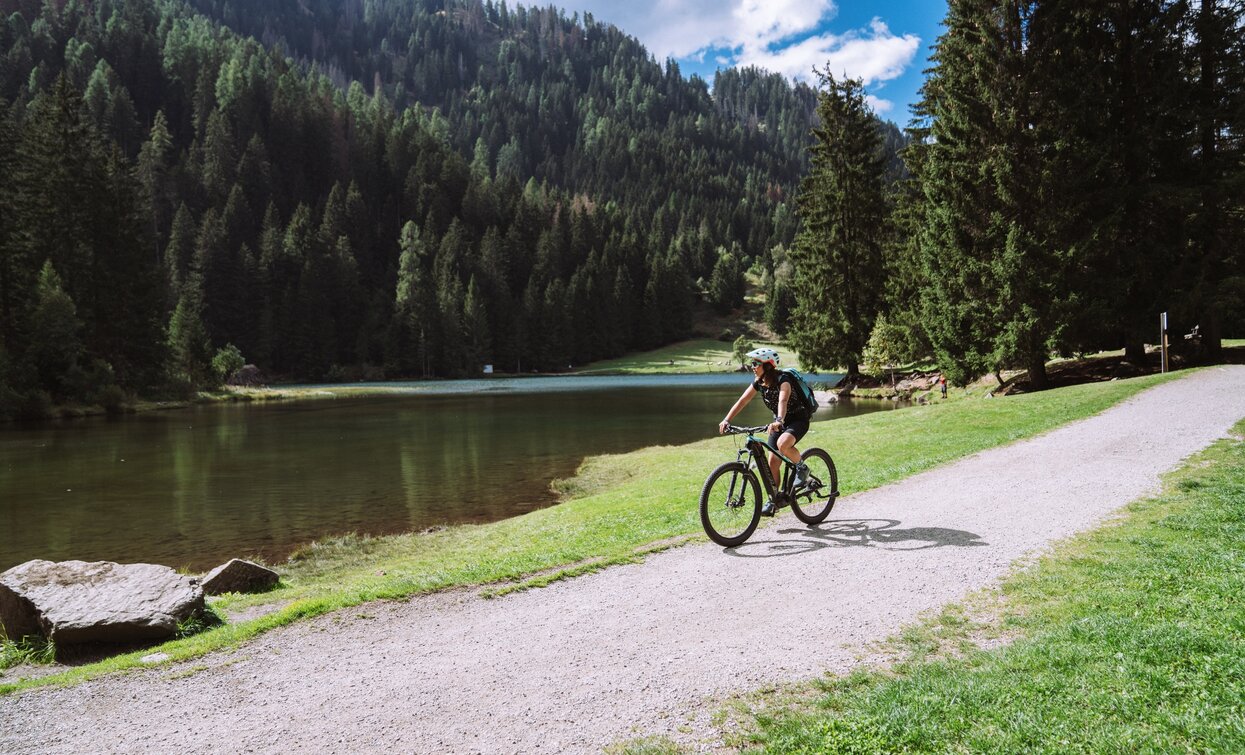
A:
(384, 189)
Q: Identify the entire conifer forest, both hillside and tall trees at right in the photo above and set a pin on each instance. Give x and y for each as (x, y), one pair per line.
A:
(342, 190)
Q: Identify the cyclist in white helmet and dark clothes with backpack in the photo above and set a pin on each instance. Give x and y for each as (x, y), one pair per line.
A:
(791, 417)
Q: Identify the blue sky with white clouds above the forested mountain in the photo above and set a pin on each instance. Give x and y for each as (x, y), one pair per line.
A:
(887, 44)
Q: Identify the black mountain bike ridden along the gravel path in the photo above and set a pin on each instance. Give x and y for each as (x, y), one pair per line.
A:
(730, 514)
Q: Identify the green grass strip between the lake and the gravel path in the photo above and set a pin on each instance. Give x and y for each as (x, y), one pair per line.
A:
(613, 509)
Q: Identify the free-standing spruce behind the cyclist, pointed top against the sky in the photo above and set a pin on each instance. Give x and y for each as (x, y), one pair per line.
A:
(839, 256)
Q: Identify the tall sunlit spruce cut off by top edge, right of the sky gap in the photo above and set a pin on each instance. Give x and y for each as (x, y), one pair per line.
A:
(992, 246)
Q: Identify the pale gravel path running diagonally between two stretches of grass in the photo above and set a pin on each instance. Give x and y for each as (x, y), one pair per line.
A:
(636, 650)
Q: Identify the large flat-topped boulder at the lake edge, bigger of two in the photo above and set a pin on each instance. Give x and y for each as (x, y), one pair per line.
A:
(78, 602)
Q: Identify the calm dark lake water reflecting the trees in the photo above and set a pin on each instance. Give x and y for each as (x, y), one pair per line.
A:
(195, 488)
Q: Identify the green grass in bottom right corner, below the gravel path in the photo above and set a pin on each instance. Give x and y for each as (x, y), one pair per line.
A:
(1130, 640)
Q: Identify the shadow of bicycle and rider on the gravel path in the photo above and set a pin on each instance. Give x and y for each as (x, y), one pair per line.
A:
(858, 534)
